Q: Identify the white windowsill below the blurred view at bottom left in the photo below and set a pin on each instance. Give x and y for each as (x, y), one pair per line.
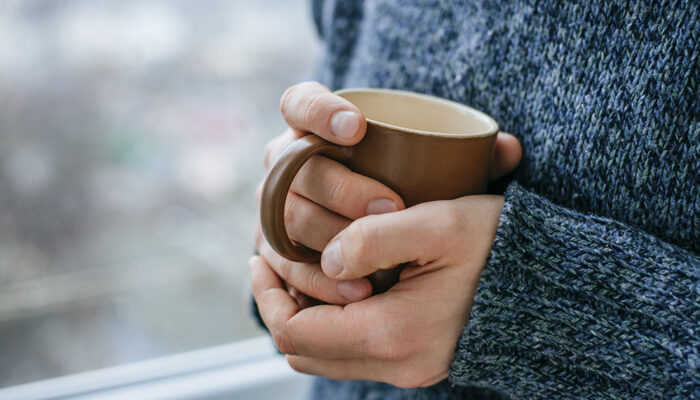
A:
(247, 369)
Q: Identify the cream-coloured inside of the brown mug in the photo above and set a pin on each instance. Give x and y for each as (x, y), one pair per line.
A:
(420, 113)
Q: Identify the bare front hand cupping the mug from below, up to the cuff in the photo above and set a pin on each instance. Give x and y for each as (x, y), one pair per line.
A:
(406, 336)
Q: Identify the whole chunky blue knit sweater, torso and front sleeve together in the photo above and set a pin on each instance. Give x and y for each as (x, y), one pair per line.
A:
(591, 289)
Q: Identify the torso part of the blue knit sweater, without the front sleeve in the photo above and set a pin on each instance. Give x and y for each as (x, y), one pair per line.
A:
(602, 95)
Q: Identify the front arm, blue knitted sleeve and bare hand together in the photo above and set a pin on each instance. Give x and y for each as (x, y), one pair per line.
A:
(564, 309)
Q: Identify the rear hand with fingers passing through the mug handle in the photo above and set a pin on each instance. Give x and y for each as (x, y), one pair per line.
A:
(325, 197)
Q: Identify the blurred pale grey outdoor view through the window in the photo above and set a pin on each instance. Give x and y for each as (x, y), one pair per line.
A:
(131, 137)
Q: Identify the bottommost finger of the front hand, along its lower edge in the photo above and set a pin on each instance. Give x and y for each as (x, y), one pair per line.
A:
(392, 372)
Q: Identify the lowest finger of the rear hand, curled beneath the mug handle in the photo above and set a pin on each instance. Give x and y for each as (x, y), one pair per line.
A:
(309, 279)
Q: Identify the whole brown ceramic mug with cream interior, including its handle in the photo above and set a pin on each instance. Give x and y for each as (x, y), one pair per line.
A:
(424, 148)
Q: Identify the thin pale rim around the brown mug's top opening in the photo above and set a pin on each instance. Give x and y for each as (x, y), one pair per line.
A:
(479, 114)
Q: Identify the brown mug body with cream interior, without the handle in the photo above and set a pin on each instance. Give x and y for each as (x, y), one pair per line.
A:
(422, 147)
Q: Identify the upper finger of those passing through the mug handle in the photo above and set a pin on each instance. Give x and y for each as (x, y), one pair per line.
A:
(335, 187)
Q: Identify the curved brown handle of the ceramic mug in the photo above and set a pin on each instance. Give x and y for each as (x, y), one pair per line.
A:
(276, 187)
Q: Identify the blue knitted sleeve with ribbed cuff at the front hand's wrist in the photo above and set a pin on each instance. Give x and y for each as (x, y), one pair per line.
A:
(576, 306)
